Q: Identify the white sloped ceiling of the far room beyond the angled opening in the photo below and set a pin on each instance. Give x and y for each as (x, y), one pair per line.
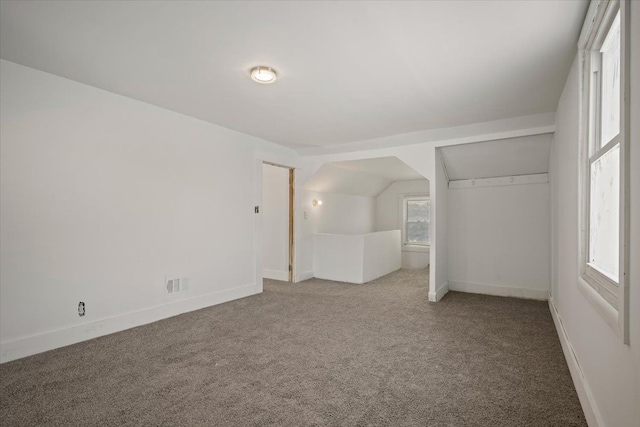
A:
(368, 177)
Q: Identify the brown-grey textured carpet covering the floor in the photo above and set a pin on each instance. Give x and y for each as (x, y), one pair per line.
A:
(314, 353)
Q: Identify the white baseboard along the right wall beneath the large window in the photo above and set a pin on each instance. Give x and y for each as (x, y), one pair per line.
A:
(587, 402)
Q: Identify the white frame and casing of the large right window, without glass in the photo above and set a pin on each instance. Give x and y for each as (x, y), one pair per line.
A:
(609, 297)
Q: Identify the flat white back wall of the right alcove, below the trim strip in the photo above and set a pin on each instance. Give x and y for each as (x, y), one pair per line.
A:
(499, 238)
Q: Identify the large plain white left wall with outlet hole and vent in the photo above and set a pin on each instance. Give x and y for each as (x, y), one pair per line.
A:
(102, 198)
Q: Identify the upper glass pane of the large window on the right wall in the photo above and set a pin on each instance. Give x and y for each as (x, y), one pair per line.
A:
(611, 83)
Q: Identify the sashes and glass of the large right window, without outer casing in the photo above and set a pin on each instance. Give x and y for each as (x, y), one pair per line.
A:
(603, 244)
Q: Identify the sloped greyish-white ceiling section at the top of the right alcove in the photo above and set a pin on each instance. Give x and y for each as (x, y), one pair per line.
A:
(506, 157)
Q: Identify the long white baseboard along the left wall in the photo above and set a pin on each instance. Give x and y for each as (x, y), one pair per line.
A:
(34, 344)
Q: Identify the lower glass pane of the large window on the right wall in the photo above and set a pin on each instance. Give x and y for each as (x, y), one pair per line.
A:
(604, 233)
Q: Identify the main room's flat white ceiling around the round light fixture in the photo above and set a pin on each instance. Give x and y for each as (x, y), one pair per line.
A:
(349, 71)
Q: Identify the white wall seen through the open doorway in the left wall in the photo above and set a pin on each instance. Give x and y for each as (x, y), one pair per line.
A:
(275, 214)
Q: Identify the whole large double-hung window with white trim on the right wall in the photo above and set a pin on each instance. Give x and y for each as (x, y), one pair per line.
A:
(603, 155)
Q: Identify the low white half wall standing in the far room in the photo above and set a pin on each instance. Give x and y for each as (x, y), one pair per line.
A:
(356, 258)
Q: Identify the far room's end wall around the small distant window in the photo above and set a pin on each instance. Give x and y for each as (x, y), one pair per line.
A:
(389, 216)
